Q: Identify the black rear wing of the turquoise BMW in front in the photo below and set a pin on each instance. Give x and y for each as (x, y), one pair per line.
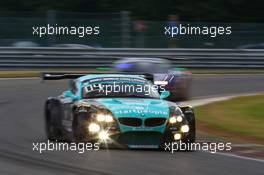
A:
(72, 75)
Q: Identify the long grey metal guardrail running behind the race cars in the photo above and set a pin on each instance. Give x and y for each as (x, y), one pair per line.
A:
(51, 57)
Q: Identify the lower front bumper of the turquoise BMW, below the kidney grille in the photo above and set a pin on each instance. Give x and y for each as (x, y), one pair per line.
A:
(136, 138)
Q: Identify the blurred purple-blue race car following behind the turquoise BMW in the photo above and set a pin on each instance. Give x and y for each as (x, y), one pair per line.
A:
(177, 80)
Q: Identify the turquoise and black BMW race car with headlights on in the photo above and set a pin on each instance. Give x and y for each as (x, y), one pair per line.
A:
(95, 110)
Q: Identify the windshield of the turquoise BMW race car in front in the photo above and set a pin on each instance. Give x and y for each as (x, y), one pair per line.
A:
(120, 87)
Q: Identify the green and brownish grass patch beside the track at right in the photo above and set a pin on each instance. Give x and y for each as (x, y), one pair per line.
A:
(243, 116)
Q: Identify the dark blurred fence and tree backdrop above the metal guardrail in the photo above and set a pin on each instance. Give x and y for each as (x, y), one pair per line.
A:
(133, 24)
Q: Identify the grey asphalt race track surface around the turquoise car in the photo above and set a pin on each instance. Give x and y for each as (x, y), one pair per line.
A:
(22, 123)
